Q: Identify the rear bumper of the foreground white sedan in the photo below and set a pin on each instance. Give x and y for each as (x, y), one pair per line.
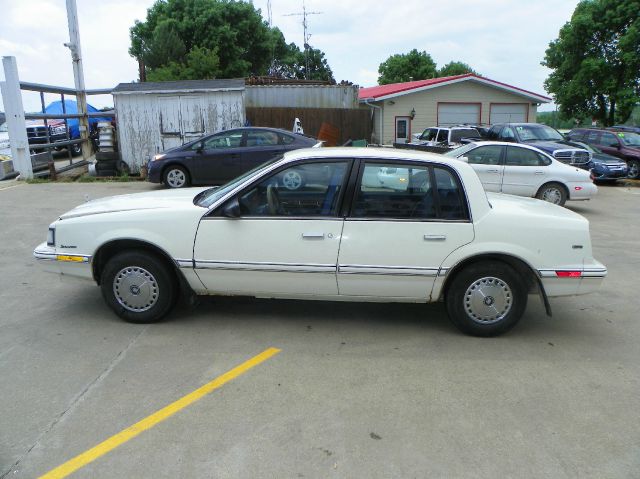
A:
(591, 277)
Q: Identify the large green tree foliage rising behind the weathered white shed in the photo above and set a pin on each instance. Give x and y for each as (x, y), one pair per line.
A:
(202, 39)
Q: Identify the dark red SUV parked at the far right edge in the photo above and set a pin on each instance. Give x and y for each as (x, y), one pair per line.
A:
(621, 144)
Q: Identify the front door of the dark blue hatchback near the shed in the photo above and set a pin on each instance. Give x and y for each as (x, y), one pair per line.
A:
(219, 159)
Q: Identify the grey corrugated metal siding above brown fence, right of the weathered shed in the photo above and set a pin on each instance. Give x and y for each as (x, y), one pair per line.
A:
(301, 96)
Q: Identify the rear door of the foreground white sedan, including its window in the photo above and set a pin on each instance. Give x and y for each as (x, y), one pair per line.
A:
(395, 239)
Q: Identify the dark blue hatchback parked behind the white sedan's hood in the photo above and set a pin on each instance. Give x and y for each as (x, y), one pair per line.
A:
(218, 158)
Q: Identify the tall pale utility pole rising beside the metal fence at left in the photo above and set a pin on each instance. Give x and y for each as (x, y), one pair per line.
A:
(78, 75)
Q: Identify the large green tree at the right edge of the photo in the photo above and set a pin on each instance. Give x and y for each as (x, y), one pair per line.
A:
(596, 61)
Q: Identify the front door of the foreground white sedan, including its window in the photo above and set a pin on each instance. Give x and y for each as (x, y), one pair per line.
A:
(279, 241)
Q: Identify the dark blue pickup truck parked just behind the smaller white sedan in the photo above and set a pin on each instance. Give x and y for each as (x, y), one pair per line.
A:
(542, 137)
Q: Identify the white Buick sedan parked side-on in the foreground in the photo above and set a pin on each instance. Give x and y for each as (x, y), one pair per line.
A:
(438, 238)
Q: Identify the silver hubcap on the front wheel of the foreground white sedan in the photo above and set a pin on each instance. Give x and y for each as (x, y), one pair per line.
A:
(135, 289)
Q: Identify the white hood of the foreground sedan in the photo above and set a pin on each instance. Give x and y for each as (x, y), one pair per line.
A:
(138, 201)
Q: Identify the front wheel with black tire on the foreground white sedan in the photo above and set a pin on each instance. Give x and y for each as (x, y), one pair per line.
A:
(138, 286)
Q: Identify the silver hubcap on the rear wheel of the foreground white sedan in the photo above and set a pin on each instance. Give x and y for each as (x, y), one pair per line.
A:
(488, 300)
